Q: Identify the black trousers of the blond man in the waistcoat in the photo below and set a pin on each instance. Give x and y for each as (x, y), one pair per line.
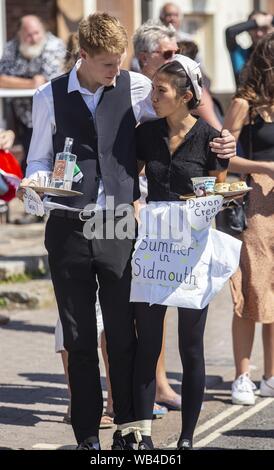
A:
(76, 264)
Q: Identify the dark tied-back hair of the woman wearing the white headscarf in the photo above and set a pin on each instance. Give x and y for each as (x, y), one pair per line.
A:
(180, 81)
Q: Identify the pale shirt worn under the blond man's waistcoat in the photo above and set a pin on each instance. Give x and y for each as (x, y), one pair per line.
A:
(41, 153)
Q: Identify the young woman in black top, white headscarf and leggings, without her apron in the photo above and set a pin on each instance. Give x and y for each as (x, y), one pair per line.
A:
(173, 149)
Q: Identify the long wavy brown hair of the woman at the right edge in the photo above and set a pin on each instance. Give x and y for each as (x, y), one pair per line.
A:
(257, 79)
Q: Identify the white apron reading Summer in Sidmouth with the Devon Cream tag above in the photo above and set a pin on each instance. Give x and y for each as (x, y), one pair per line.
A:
(178, 272)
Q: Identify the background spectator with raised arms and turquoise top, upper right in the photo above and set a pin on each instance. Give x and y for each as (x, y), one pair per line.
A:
(258, 25)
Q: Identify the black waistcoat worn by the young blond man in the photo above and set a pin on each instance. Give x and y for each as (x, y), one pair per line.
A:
(107, 152)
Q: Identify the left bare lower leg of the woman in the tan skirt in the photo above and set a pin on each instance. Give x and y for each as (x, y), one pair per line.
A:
(243, 336)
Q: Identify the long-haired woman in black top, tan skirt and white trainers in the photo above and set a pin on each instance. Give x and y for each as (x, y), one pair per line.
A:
(251, 120)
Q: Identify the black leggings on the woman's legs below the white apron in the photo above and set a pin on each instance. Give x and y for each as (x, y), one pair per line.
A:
(149, 327)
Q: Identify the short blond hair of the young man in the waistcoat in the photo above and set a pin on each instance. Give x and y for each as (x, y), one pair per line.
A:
(101, 32)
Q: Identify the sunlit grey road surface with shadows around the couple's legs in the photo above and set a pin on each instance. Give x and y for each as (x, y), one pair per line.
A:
(33, 393)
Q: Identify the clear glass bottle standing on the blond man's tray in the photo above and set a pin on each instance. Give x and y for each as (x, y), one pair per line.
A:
(62, 175)
